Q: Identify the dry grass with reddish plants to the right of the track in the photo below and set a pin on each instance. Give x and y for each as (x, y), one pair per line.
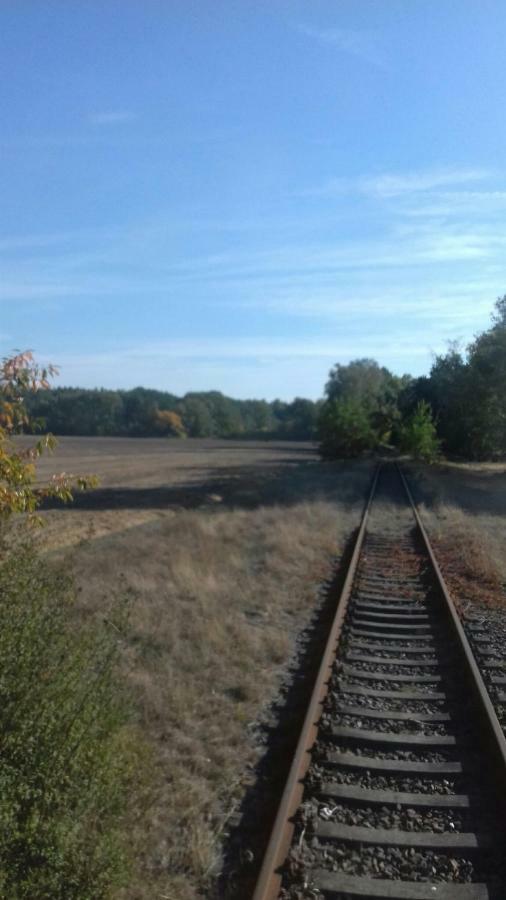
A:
(464, 509)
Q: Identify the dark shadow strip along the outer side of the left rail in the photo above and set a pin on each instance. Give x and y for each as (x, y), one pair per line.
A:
(250, 830)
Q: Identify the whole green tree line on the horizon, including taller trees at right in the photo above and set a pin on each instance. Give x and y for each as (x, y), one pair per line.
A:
(458, 409)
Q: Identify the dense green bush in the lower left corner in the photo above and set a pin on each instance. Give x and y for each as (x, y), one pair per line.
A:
(65, 757)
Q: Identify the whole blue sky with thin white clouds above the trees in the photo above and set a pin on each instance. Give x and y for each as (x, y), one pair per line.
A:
(234, 195)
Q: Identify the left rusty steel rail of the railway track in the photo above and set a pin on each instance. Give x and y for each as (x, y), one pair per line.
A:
(269, 880)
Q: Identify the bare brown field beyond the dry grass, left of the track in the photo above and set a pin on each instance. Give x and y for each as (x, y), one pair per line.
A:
(143, 479)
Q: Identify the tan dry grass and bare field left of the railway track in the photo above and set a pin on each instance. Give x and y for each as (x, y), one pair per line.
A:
(225, 549)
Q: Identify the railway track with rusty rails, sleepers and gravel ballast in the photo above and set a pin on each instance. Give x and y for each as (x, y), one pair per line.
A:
(398, 784)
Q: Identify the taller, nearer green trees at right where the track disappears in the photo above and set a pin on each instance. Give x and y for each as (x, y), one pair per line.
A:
(458, 409)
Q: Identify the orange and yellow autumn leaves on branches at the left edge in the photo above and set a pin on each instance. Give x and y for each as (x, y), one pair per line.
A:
(19, 376)
